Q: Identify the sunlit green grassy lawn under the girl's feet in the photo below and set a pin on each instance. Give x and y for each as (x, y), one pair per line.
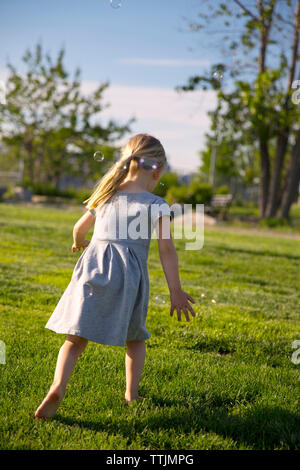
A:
(224, 381)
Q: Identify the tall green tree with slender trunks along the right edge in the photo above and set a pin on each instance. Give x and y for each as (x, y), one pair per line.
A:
(263, 66)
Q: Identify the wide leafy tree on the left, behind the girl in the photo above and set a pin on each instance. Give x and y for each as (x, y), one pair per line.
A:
(48, 120)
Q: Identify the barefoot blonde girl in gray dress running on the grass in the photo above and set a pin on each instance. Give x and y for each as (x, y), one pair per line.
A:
(106, 300)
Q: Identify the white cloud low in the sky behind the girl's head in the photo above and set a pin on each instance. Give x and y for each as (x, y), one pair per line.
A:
(179, 121)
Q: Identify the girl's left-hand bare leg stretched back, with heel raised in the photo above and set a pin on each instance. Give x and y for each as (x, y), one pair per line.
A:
(66, 361)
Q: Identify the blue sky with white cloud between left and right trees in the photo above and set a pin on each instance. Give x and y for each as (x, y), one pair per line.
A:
(144, 49)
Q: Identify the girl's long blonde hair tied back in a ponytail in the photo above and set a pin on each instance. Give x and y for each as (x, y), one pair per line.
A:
(139, 146)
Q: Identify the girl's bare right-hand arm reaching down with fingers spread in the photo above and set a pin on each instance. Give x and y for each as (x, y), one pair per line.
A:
(169, 260)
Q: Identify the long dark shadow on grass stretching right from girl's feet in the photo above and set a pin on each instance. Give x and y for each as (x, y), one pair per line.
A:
(261, 427)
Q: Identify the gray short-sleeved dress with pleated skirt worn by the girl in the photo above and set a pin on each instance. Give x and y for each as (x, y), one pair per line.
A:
(107, 298)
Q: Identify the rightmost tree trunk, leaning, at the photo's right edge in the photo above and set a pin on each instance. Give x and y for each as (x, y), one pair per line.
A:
(292, 187)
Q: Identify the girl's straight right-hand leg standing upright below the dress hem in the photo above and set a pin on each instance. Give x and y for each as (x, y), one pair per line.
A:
(134, 361)
